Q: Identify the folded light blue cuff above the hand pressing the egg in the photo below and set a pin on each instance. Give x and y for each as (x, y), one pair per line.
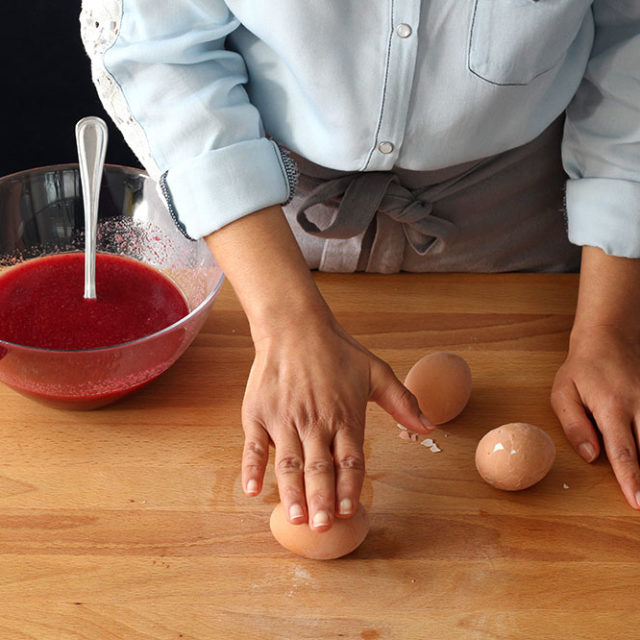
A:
(215, 188)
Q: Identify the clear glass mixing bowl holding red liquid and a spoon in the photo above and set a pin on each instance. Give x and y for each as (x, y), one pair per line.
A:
(41, 214)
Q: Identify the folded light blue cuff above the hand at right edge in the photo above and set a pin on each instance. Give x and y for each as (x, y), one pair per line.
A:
(605, 213)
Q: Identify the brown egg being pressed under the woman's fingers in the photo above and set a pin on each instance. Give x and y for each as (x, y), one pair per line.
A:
(345, 535)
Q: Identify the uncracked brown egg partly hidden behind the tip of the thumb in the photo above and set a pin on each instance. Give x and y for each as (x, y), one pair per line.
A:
(441, 382)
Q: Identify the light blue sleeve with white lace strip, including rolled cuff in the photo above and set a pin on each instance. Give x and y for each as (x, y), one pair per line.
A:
(166, 79)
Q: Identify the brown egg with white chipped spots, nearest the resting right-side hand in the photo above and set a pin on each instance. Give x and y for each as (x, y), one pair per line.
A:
(515, 456)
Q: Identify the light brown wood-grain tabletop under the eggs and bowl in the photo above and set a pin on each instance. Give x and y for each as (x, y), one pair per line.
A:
(129, 522)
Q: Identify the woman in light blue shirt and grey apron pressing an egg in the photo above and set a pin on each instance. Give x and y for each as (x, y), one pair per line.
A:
(429, 137)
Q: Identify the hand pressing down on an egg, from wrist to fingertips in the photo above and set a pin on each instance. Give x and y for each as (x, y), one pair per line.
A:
(307, 394)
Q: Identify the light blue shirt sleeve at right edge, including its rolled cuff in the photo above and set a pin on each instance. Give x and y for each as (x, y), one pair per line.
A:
(601, 148)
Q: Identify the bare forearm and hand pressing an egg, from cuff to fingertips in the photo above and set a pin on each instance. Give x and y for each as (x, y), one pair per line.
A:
(310, 381)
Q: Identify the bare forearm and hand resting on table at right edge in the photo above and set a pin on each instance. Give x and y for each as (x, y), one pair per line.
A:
(596, 391)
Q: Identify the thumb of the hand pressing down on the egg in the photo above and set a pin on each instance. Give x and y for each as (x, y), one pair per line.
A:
(388, 392)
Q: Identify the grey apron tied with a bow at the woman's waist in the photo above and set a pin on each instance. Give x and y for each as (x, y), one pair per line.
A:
(504, 213)
